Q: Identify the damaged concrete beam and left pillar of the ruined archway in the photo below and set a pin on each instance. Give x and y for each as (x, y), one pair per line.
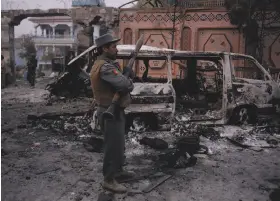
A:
(87, 15)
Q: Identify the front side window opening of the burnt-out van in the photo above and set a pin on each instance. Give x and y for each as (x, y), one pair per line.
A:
(246, 68)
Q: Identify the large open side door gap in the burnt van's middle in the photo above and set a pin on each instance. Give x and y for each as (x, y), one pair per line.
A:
(202, 82)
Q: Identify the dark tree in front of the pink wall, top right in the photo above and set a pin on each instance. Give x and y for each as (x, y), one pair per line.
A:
(254, 18)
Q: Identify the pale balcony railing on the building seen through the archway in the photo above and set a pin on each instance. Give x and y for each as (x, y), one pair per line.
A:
(54, 40)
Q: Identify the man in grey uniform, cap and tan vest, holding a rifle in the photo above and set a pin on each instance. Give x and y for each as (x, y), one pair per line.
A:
(107, 78)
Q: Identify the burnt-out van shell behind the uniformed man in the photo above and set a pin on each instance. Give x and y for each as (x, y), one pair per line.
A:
(215, 87)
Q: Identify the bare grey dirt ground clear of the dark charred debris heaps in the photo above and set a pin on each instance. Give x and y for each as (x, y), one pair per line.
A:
(42, 164)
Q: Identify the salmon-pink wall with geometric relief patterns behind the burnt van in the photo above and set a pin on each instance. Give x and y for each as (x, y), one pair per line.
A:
(196, 30)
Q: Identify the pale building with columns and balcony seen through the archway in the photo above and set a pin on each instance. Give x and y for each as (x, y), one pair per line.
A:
(55, 36)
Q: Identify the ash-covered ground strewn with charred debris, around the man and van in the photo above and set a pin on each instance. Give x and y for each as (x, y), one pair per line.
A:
(52, 150)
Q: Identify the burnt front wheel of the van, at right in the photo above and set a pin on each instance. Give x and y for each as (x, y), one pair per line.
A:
(244, 115)
